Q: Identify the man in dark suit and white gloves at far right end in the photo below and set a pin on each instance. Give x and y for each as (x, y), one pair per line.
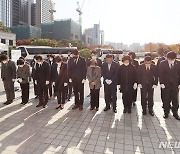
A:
(170, 83)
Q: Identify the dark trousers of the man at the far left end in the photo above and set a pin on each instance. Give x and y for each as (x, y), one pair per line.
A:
(9, 89)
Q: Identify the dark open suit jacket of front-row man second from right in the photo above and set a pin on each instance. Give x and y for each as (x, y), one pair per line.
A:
(152, 76)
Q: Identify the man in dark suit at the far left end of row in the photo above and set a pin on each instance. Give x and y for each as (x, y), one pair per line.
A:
(8, 76)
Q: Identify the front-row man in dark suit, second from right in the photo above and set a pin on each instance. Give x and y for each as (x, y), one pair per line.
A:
(147, 80)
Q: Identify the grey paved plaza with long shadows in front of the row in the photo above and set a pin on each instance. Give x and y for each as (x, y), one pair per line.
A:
(27, 129)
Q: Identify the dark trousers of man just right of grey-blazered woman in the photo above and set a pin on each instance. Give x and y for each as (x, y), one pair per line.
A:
(110, 92)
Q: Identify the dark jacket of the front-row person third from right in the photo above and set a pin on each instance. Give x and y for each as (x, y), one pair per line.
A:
(127, 77)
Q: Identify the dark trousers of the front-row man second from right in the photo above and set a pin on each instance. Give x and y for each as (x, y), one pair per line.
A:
(147, 93)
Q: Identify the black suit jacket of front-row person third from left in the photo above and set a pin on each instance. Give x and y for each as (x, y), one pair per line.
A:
(42, 73)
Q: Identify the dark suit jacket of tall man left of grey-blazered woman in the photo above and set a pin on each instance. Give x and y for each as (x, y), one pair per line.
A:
(77, 71)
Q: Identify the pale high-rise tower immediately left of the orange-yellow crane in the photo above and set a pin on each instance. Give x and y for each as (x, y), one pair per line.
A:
(42, 12)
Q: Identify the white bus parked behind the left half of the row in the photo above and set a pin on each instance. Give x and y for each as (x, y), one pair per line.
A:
(28, 52)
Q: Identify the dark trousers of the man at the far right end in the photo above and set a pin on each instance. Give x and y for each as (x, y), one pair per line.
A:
(170, 94)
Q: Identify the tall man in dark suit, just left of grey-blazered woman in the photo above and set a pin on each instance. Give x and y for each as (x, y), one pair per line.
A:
(77, 74)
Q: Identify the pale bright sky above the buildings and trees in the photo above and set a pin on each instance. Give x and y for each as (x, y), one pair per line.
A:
(128, 21)
